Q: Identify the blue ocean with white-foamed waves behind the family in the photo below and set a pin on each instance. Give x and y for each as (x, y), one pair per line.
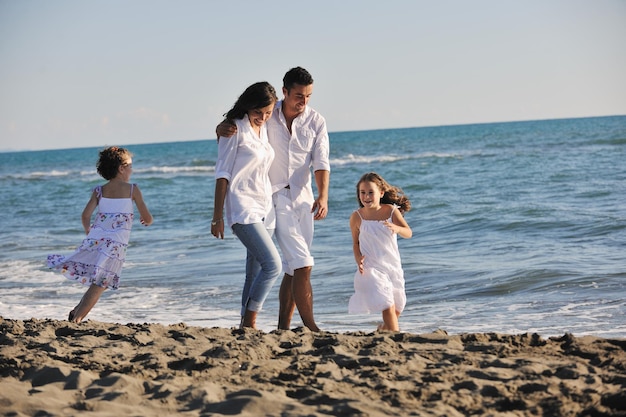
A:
(517, 227)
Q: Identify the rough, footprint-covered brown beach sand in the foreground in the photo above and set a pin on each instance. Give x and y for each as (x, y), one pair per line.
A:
(56, 368)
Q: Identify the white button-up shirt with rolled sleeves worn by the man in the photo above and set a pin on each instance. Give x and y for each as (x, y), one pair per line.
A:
(306, 146)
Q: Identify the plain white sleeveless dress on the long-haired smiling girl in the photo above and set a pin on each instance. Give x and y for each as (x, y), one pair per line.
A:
(382, 283)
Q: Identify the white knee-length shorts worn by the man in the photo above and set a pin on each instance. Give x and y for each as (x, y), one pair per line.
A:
(294, 231)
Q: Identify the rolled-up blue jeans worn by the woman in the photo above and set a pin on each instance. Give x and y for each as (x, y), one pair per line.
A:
(263, 265)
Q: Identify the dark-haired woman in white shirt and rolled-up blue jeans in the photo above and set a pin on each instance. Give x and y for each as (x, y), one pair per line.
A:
(242, 186)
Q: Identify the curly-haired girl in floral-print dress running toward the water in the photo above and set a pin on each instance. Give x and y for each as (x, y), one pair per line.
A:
(98, 261)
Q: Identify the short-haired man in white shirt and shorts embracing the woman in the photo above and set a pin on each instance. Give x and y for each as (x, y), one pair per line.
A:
(300, 141)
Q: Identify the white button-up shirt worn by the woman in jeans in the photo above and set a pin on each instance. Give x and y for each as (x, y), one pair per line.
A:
(244, 161)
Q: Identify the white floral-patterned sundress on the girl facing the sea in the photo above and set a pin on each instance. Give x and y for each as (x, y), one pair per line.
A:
(99, 259)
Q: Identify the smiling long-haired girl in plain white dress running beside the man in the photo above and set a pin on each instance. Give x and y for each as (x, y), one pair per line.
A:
(379, 280)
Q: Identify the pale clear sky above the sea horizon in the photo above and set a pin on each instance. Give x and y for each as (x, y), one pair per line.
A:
(83, 73)
